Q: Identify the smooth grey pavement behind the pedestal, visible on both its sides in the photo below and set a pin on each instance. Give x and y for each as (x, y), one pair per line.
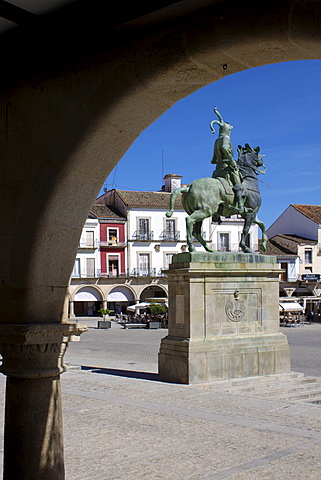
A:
(132, 349)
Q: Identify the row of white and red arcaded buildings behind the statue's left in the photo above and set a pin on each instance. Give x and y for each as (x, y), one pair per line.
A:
(120, 269)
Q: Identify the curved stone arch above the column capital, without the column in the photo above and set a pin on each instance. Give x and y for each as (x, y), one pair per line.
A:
(95, 109)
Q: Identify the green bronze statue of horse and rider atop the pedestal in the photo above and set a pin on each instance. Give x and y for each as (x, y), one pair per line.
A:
(233, 189)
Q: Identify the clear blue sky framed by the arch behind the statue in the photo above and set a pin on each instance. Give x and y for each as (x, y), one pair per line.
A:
(277, 107)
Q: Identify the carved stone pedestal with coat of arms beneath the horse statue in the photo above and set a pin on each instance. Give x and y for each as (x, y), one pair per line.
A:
(223, 318)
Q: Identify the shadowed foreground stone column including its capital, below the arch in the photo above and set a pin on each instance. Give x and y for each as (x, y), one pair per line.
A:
(33, 361)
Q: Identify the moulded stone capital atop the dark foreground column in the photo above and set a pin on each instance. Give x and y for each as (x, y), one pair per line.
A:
(36, 350)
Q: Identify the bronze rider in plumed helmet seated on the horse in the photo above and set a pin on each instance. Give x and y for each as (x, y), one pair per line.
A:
(223, 157)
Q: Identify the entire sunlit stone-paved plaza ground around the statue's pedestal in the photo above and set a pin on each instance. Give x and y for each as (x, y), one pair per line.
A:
(121, 422)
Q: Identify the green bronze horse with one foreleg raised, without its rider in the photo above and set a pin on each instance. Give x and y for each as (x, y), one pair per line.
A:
(214, 197)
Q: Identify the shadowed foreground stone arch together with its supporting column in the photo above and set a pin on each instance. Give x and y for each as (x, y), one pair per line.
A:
(65, 125)
